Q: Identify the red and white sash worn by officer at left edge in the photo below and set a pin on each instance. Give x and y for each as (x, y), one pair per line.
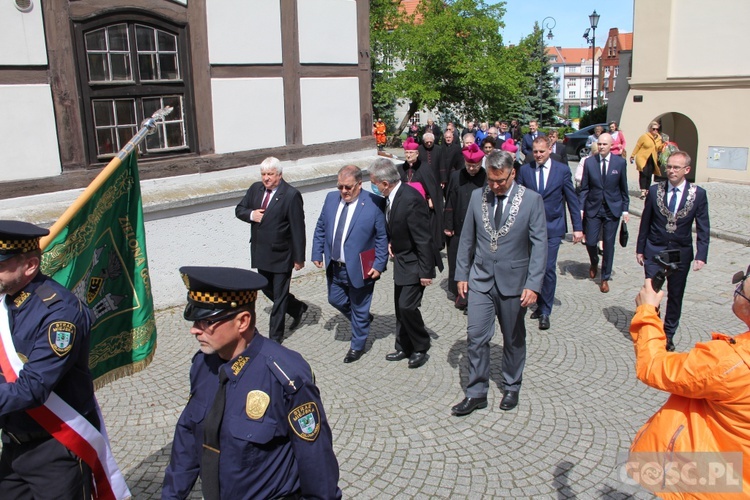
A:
(67, 425)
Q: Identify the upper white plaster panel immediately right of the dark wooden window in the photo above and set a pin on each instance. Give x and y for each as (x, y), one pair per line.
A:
(244, 32)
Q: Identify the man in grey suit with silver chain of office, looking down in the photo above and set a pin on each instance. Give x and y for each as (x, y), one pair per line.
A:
(506, 232)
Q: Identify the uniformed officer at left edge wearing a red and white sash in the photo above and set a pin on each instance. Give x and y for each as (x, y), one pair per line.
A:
(47, 328)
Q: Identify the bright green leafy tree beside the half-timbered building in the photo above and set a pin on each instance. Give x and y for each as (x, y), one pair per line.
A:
(449, 55)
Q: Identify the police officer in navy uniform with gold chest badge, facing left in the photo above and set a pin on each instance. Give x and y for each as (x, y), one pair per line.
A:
(254, 425)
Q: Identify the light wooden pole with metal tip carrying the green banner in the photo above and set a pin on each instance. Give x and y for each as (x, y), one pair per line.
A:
(147, 127)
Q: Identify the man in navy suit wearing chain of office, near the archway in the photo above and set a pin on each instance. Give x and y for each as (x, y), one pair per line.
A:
(669, 212)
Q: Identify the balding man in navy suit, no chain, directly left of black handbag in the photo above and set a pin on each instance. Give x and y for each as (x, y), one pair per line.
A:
(604, 198)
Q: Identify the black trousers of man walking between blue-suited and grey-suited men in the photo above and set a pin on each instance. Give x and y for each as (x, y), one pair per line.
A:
(411, 335)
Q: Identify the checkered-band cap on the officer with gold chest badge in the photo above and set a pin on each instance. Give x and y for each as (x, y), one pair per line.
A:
(215, 291)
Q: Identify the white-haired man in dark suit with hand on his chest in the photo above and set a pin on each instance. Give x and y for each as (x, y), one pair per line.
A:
(276, 216)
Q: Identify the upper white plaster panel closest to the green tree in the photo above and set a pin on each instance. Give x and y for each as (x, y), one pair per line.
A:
(327, 31)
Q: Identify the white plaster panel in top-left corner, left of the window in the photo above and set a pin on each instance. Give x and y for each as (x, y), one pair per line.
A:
(21, 36)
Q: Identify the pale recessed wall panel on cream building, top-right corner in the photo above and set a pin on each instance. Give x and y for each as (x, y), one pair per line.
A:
(710, 43)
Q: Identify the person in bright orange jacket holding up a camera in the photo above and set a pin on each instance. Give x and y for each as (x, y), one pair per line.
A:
(698, 444)
